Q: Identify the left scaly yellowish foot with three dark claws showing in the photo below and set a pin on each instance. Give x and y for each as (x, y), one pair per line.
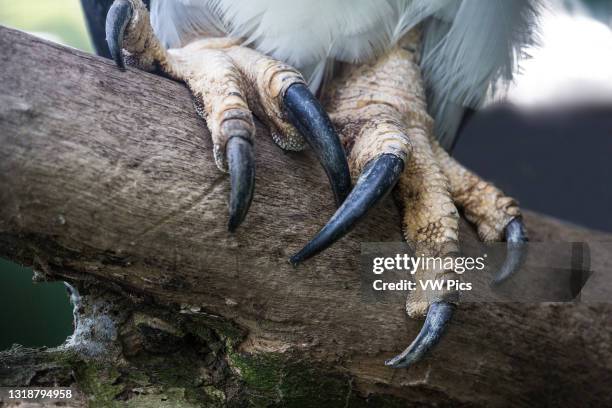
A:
(230, 83)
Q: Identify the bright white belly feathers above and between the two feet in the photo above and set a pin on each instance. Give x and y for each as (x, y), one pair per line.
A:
(304, 32)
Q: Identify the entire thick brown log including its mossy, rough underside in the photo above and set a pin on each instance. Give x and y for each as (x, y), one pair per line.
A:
(107, 181)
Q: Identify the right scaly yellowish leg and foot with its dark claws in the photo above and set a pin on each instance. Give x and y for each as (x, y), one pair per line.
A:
(380, 112)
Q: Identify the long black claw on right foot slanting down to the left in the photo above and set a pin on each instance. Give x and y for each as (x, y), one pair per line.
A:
(377, 179)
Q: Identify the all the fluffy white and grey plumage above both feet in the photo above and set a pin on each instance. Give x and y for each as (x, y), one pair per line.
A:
(469, 45)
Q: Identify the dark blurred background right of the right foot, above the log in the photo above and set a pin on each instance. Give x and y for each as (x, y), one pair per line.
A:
(558, 162)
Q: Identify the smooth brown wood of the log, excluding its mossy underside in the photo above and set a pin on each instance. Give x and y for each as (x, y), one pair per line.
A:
(109, 175)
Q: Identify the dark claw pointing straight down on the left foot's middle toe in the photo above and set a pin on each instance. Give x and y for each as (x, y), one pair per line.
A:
(241, 163)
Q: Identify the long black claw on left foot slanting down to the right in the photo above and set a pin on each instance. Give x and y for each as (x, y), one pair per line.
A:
(309, 117)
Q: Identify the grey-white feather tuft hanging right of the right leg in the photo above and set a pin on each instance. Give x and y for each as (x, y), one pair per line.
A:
(468, 55)
